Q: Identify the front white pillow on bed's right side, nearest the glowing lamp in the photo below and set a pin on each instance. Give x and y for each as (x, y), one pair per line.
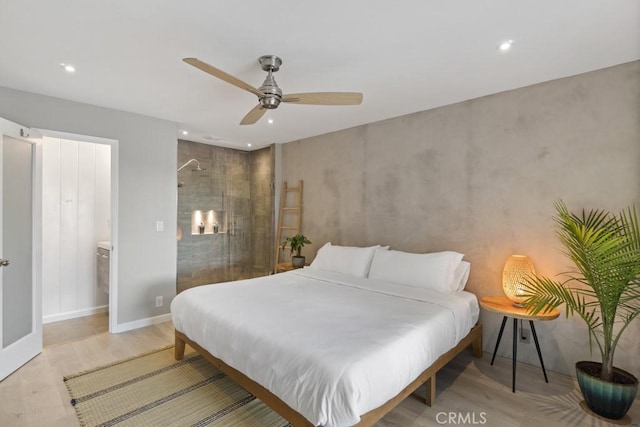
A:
(433, 271)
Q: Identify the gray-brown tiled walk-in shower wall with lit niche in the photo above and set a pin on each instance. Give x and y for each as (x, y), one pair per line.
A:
(237, 185)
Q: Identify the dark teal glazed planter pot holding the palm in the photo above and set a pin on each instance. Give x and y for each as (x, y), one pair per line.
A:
(608, 399)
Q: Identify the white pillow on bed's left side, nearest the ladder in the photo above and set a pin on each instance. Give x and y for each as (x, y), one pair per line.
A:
(344, 259)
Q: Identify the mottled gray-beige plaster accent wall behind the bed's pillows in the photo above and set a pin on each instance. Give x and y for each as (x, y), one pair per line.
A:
(480, 177)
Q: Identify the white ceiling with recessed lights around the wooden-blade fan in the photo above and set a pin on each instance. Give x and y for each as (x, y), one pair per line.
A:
(404, 56)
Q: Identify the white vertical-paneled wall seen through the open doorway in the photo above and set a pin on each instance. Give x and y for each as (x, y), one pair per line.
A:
(76, 200)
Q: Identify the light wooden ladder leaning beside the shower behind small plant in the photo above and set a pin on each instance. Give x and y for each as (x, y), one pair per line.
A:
(288, 222)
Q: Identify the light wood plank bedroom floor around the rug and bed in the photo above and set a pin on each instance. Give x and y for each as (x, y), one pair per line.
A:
(468, 389)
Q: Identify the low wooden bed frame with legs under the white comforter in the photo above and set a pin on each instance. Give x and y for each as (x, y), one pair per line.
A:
(428, 376)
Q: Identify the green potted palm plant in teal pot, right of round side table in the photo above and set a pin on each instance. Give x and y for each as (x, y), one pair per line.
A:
(603, 290)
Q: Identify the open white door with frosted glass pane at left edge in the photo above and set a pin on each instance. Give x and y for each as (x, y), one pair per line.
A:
(20, 294)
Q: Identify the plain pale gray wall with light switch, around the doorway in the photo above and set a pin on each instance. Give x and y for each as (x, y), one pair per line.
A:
(146, 192)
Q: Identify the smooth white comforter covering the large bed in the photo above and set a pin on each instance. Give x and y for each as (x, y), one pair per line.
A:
(331, 346)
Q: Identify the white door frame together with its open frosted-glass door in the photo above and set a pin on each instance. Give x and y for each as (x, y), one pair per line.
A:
(21, 179)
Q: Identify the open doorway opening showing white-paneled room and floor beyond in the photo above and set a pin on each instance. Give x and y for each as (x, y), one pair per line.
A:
(78, 206)
